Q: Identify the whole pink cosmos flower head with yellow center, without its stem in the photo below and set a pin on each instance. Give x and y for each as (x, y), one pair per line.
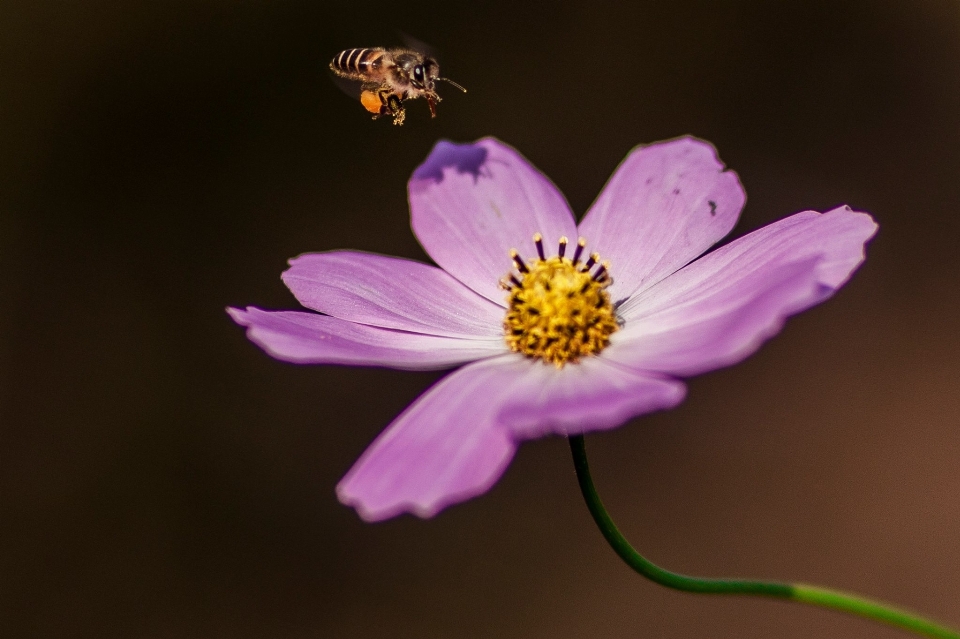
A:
(556, 327)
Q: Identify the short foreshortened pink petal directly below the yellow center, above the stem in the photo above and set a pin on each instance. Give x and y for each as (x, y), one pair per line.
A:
(594, 394)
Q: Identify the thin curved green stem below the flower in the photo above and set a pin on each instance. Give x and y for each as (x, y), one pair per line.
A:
(803, 593)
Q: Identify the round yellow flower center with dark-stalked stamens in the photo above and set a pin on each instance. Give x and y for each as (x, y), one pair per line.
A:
(559, 310)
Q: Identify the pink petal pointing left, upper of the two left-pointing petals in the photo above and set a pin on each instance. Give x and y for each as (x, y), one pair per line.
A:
(392, 293)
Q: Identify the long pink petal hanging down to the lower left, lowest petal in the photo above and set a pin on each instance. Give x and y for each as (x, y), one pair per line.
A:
(445, 448)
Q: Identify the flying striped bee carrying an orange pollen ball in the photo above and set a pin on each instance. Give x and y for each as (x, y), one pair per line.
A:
(390, 76)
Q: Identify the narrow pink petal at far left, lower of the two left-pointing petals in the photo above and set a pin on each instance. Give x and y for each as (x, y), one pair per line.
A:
(308, 338)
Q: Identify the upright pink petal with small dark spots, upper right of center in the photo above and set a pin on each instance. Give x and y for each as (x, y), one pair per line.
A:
(665, 205)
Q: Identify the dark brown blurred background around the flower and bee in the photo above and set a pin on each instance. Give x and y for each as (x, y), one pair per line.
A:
(162, 477)
